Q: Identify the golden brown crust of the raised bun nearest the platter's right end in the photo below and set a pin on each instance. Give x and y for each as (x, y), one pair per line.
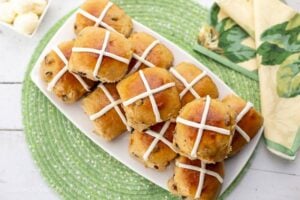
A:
(213, 146)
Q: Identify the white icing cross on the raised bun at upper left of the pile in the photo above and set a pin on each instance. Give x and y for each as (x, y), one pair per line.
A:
(101, 53)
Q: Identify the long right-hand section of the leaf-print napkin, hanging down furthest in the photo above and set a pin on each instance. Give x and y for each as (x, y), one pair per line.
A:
(277, 36)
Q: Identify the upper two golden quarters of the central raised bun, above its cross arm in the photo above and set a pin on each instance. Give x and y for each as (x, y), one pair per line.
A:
(133, 84)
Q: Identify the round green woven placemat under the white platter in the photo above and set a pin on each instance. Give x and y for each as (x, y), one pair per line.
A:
(72, 164)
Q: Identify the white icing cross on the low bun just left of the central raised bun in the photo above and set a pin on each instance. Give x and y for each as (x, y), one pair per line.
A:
(114, 104)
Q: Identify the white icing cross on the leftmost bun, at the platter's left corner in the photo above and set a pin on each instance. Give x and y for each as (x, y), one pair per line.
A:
(58, 76)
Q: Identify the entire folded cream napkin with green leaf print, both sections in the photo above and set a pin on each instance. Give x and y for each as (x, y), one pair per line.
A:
(263, 35)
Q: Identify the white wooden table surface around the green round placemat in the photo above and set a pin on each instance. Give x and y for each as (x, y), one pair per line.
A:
(269, 177)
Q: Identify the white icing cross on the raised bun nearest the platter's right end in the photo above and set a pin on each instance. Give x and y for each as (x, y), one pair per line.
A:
(201, 127)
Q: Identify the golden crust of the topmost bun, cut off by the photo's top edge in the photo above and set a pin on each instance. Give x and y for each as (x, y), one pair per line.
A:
(115, 17)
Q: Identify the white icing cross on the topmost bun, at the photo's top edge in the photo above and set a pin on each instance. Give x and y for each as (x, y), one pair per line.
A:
(99, 20)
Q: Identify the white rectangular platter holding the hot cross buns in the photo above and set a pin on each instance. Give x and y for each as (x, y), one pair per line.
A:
(118, 148)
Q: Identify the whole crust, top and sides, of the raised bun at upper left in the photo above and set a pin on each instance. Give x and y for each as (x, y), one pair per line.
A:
(111, 70)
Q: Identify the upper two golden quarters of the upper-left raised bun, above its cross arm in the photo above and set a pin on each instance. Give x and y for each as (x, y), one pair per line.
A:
(93, 37)
